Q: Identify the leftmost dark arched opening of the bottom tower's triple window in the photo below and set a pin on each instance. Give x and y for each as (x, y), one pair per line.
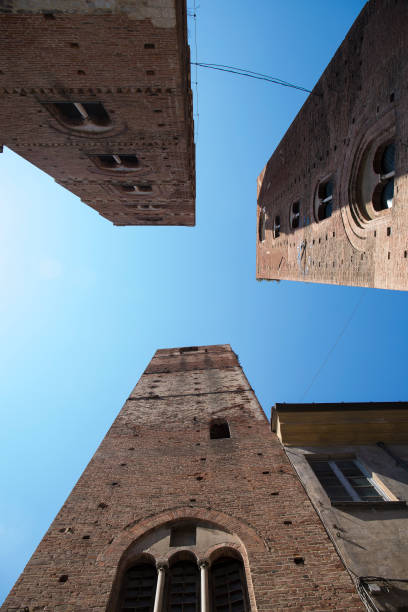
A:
(138, 589)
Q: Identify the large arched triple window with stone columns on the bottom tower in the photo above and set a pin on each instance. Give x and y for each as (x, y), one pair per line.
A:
(186, 566)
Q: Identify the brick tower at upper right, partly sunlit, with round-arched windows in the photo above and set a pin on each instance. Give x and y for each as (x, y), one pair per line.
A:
(358, 108)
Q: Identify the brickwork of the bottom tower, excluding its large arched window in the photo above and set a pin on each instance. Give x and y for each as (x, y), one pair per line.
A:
(158, 464)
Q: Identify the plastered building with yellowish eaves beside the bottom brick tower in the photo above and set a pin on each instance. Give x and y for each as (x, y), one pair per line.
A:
(353, 462)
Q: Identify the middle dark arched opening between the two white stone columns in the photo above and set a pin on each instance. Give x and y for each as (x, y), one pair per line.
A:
(183, 587)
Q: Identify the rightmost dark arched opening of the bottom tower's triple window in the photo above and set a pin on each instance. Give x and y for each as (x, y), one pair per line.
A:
(228, 586)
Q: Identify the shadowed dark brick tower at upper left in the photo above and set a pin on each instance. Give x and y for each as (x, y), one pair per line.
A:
(134, 61)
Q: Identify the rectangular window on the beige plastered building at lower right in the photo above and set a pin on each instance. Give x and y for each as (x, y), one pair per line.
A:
(344, 480)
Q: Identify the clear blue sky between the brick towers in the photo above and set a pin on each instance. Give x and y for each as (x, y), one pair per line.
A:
(84, 305)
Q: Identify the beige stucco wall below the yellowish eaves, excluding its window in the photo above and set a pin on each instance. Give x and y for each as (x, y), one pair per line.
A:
(372, 540)
